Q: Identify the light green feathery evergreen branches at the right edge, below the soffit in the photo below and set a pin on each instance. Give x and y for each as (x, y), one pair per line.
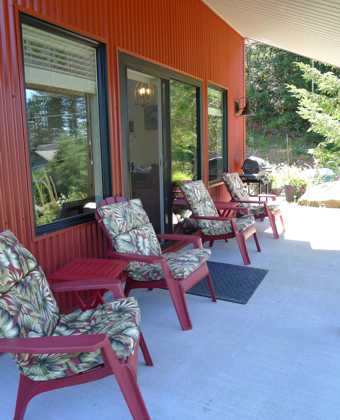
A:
(321, 108)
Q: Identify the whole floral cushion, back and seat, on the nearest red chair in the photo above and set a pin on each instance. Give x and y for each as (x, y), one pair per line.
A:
(28, 309)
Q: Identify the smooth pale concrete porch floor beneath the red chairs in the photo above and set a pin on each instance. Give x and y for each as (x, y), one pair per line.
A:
(276, 358)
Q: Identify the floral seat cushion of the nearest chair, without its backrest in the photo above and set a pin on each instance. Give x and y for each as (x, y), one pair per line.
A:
(119, 320)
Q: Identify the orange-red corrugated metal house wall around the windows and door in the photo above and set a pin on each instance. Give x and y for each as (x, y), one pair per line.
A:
(184, 35)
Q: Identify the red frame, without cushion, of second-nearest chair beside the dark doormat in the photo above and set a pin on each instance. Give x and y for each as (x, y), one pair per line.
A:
(177, 287)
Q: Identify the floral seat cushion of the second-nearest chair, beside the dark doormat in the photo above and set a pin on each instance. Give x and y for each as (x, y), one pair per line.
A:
(181, 263)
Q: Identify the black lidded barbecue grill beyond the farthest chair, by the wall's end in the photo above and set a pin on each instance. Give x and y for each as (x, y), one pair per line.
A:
(256, 171)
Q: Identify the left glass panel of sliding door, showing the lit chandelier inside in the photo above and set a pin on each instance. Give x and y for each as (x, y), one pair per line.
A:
(144, 152)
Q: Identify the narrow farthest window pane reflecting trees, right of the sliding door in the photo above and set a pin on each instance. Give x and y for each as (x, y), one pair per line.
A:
(215, 132)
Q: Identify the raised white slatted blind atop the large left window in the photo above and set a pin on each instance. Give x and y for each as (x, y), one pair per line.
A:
(52, 61)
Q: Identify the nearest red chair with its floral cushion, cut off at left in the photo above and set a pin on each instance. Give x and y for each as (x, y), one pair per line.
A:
(25, 278)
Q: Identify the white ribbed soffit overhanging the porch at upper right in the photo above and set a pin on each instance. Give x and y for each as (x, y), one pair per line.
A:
(307, 27)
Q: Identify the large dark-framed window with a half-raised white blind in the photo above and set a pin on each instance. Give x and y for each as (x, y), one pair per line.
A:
(63, 123)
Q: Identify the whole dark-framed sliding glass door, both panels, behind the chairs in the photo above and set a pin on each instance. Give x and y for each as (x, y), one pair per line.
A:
(161, 132)
